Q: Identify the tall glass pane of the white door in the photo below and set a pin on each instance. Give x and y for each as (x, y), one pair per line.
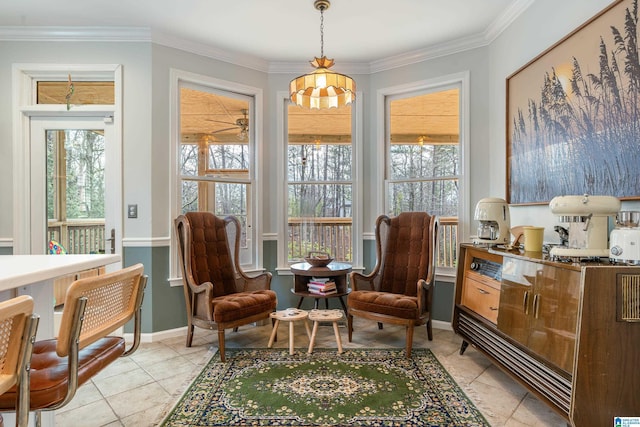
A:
(75, 190)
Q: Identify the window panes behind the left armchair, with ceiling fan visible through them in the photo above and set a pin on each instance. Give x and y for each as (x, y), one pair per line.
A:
(216, 156)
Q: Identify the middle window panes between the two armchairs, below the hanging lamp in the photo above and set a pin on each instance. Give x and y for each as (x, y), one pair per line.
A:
(320, 159)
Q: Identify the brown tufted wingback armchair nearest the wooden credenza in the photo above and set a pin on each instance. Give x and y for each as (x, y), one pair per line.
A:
(399, 290)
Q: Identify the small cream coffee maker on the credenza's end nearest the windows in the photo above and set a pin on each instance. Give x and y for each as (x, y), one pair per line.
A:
(495, 223)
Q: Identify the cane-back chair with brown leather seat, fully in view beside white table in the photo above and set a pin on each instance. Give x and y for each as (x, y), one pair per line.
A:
(94, 308)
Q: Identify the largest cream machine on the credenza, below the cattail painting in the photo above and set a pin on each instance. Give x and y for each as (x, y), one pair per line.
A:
(588, 224)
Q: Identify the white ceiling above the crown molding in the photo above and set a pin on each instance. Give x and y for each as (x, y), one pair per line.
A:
(355, 31)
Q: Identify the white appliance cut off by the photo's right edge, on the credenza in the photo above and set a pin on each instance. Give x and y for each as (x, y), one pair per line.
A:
(625, 238)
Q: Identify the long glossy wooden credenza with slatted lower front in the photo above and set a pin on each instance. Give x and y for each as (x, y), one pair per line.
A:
(568, 332)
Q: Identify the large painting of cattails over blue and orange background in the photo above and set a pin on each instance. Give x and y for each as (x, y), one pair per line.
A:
(573, 114)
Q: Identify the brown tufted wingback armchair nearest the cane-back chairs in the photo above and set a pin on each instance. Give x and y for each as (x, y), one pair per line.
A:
(218, 294)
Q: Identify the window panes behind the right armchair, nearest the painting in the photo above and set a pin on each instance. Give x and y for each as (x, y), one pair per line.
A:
(423, 160)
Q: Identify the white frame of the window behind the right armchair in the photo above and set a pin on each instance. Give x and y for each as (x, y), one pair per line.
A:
(459, 81)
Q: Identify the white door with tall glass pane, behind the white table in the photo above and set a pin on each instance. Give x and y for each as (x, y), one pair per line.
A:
(91, 171)
